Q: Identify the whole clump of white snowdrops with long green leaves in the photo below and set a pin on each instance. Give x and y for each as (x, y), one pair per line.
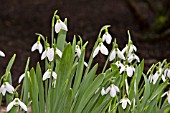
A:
(68, 84)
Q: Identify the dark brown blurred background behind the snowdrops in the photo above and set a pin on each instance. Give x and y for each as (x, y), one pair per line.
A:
(147, 20)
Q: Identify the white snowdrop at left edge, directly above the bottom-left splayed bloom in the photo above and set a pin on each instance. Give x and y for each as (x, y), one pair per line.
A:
(6, 87)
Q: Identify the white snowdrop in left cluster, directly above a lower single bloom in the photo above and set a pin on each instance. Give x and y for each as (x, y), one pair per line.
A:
(49, 53)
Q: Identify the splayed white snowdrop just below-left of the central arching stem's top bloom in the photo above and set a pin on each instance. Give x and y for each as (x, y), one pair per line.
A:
(100, 48)
